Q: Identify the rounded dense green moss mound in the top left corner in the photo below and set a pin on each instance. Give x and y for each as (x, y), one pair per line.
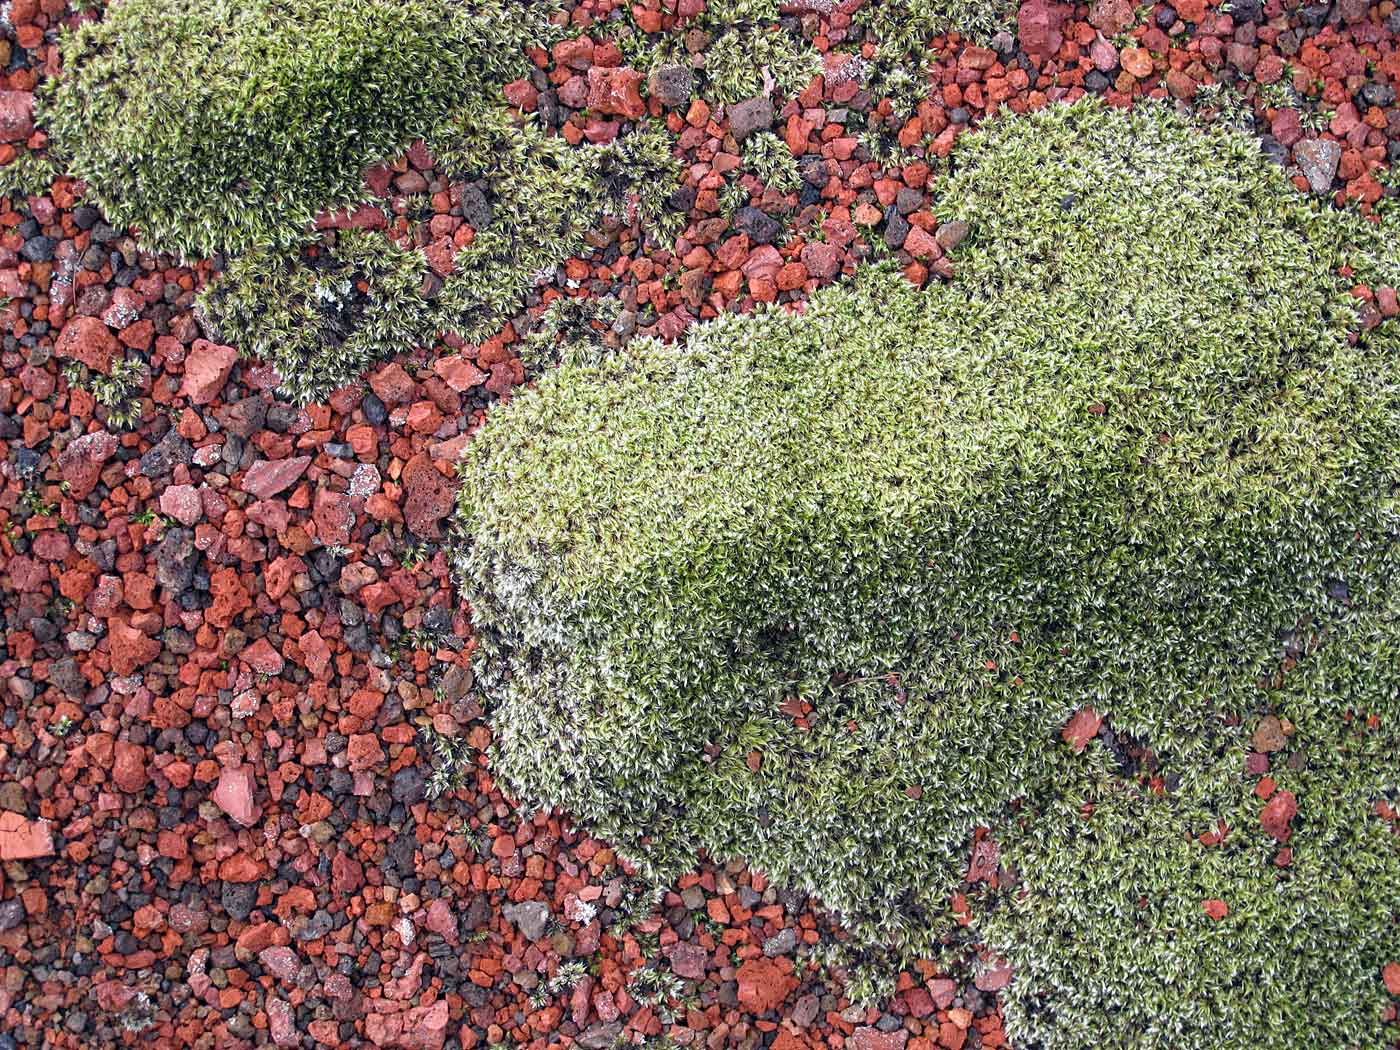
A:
(220, 125)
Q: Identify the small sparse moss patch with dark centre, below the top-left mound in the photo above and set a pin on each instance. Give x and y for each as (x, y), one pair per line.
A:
(324, 314)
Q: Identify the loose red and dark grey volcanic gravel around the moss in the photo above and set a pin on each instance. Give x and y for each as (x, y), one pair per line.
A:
(227, 628)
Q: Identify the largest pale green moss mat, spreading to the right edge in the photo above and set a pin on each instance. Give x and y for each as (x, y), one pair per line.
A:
(822, 591)
